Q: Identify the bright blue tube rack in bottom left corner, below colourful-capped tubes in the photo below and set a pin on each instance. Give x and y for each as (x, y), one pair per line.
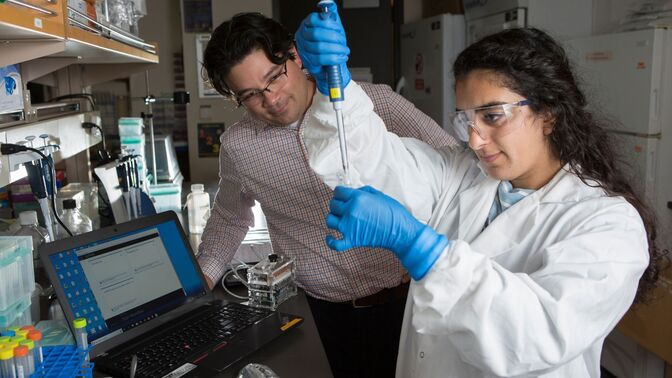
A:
(63, 361)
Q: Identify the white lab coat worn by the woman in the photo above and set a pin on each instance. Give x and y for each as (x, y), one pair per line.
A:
(532, 295)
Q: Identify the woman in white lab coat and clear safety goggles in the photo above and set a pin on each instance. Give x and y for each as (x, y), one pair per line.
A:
(526, 247)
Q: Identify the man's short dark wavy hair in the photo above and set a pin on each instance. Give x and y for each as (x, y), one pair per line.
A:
(235, 39)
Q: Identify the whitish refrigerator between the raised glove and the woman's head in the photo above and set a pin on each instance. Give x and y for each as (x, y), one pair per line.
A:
(428, 49)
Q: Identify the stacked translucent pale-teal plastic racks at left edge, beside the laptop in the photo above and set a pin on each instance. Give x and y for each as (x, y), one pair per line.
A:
(17, 280)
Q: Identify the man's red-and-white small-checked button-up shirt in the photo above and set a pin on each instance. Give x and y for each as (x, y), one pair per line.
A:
(269, 164)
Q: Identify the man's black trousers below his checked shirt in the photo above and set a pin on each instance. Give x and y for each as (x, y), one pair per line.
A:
(359, 342)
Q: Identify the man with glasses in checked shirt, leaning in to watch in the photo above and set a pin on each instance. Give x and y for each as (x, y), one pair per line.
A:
(357, 299)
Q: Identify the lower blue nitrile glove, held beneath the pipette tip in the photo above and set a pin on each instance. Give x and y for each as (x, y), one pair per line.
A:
(369, 218)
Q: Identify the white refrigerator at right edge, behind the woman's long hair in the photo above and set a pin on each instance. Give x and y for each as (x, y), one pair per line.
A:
(628, 77)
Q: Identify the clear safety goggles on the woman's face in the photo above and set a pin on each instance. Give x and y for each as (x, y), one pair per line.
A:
(487, 121)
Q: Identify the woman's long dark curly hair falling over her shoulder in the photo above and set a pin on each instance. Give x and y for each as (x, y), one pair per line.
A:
(532, 64)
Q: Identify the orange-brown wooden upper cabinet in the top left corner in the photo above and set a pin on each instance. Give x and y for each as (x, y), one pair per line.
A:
(32, 29)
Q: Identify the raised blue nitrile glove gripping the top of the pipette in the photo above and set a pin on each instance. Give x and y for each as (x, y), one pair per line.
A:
(321, 42)
